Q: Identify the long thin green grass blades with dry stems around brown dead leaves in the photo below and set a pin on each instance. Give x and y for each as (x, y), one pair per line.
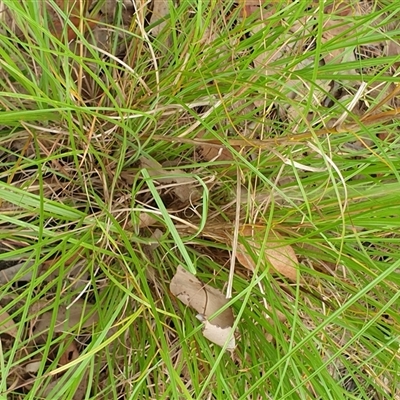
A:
(75, 124)
